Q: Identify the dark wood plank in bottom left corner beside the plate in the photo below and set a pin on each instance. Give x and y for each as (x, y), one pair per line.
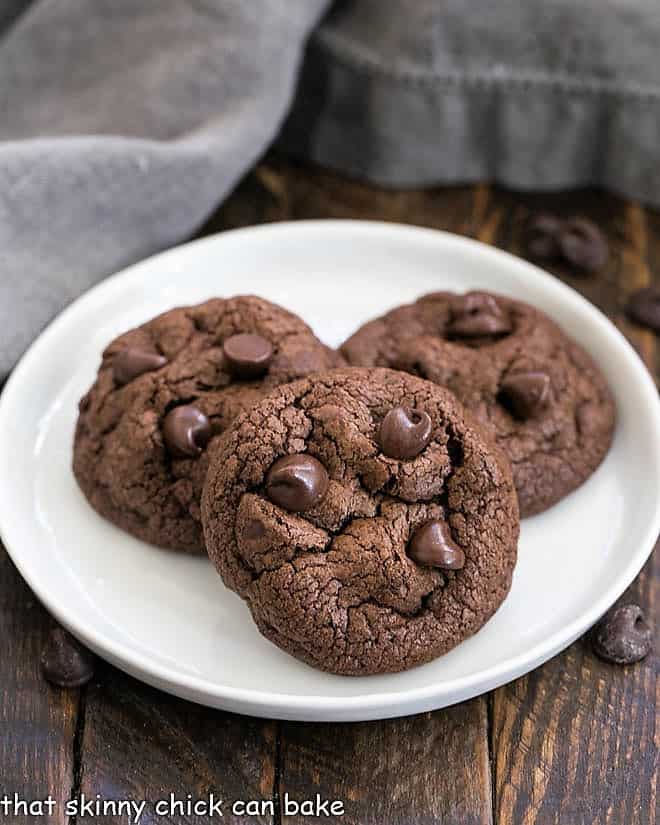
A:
(37, 722)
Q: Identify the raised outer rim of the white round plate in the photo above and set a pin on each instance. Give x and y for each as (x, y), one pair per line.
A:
(309, 706)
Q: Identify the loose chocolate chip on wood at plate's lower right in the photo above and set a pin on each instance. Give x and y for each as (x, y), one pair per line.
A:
(622, 636)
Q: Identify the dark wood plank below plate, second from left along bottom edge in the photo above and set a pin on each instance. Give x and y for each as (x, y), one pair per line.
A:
(141, 744)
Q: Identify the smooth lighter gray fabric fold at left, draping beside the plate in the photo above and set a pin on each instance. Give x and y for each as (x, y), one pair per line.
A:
(122, 126)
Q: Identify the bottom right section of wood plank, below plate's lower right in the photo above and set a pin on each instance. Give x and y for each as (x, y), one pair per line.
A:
(573, 741)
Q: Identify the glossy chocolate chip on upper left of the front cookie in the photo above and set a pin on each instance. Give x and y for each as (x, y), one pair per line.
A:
(297, 482)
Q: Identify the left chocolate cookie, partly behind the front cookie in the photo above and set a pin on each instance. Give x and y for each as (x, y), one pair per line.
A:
(164, 393)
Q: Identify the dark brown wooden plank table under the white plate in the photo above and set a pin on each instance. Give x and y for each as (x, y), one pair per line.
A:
(571, 743)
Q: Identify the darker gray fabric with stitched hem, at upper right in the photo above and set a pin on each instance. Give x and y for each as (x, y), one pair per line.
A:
(541, 94)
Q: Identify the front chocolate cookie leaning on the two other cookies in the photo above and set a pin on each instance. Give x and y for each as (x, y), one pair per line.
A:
(364, 517)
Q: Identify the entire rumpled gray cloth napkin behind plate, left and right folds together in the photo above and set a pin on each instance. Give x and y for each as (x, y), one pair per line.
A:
(123, 124)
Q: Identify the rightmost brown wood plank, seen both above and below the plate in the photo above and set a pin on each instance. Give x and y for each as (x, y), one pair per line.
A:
(574, 740)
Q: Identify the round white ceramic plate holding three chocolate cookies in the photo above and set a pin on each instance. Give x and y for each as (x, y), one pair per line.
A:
(168, 620)
